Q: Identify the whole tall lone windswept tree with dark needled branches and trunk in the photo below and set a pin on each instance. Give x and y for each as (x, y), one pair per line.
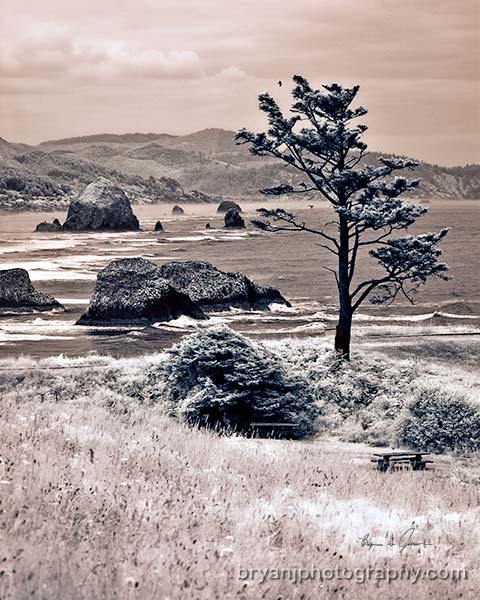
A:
(322, 143)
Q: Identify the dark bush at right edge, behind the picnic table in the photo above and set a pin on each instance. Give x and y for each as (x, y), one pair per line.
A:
(440, 420)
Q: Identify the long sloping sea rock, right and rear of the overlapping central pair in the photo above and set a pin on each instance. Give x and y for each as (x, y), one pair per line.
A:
(215, 290)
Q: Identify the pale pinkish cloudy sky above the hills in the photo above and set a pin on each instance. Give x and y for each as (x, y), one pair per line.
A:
(178, 66)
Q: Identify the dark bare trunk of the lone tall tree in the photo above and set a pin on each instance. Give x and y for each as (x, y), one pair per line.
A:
(344, 326)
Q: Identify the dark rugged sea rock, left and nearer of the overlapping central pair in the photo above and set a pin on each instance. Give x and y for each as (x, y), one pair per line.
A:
(134, 291)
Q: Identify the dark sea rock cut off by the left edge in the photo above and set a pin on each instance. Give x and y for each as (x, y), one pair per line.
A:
(17, 292)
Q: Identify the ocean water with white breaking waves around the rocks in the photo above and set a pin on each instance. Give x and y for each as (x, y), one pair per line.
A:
(65, 266)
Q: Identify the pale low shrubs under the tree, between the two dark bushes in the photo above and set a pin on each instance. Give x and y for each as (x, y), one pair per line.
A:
(359, 401)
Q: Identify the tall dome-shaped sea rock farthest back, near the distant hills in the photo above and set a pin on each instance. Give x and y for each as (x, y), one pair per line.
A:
(101, 206)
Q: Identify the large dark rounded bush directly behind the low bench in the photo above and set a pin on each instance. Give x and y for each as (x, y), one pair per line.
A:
(219, 379)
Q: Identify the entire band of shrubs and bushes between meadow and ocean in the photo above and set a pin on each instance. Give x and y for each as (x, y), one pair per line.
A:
(220, 379)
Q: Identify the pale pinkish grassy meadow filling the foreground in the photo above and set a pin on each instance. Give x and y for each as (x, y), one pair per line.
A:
(102, 497)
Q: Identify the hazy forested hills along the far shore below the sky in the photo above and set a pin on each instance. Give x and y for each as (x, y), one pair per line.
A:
(155, 168)
